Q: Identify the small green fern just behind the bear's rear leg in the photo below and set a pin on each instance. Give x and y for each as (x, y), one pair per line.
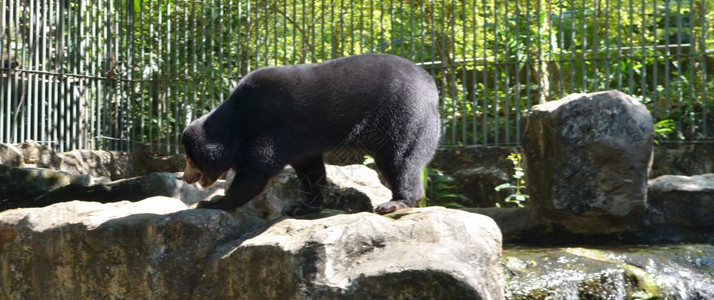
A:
(439, 190)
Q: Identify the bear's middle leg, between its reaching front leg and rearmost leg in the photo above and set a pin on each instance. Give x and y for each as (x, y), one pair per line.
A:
(312, 176)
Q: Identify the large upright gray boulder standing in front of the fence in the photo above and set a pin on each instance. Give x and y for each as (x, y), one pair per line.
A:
(587, 158)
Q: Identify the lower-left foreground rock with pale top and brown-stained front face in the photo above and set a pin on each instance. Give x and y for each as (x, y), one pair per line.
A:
(152, 249)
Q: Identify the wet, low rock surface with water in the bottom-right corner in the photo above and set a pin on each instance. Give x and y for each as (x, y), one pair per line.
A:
(652, 272)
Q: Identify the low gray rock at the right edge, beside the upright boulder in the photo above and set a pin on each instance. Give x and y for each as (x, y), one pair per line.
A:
(681, 201)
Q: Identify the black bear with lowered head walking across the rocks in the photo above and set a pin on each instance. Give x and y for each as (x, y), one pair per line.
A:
(381, 105)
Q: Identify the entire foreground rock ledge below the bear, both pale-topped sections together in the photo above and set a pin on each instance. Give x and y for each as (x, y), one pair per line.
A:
(157, 249)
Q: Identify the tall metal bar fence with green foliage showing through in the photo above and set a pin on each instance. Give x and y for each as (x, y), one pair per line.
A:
(131, 74)
